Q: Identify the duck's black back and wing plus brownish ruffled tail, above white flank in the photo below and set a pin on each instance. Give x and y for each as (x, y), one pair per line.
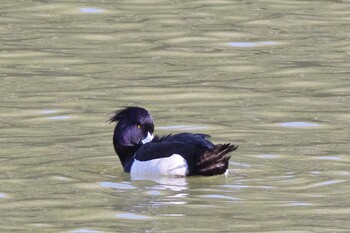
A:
(201, 155)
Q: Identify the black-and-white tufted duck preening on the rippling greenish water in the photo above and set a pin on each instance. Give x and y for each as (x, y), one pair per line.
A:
(178, 155)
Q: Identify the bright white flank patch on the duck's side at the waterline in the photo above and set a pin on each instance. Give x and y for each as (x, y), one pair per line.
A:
(174, 165)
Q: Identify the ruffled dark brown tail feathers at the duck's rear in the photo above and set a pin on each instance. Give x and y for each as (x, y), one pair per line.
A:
(215, 161)
